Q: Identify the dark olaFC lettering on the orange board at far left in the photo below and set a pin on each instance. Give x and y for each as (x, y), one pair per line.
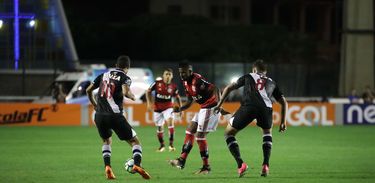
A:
(23, 116)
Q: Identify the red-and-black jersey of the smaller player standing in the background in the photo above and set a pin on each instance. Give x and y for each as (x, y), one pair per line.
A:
(163, 95)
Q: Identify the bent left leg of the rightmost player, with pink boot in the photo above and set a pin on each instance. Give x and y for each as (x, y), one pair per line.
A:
(242, 117)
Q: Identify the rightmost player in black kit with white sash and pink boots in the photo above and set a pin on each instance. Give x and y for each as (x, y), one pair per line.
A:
(256, 104)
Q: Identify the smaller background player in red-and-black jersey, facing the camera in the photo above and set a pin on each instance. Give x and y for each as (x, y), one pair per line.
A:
(163, 106)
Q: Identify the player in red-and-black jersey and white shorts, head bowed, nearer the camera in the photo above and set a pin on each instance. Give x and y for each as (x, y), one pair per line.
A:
(205, 121)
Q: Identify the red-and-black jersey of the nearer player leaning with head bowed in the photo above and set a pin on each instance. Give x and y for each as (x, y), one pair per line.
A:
(201, 91)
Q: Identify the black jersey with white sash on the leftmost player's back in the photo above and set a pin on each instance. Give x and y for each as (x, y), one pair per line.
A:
(110, 97)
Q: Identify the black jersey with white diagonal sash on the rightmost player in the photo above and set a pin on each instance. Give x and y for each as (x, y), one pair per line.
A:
(258, 90)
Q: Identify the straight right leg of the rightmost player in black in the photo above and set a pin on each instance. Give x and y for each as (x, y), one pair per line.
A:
(265, 122)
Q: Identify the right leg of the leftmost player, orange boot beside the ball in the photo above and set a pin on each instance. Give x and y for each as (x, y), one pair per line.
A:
(126, 133)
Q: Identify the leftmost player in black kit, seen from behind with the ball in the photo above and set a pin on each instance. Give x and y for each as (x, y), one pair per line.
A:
(113, 86)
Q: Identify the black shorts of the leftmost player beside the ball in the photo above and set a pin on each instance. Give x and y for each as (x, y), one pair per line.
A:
(105, 123)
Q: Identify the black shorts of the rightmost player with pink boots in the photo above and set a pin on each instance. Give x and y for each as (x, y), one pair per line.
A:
(246, 114)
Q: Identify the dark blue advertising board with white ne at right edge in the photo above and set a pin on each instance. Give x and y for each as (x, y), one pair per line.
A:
(359, 114)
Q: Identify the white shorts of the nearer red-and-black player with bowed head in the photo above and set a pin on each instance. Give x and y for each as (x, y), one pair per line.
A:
(207, 120)
